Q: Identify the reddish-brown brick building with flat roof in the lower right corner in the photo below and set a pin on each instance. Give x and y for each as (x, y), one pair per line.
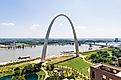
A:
(105, 72)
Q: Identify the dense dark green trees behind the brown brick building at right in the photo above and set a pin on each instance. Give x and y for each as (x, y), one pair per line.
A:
(108, 56)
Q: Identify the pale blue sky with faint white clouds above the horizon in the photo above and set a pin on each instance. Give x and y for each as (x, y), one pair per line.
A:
(31, 18)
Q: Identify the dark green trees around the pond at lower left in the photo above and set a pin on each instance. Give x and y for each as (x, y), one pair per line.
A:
(20, 73)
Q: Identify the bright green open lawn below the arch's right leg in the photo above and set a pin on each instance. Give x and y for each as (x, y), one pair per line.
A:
(78, 64)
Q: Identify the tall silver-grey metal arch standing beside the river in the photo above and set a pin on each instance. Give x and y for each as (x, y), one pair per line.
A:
(47, 37)
